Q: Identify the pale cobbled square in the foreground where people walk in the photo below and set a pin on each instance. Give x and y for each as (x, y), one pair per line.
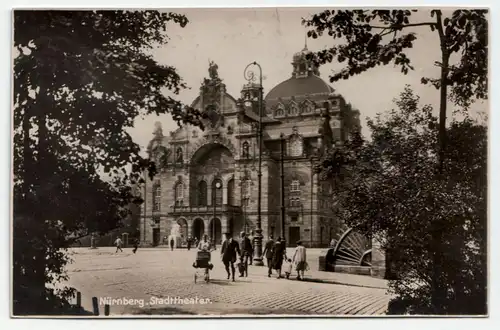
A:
(160, 273)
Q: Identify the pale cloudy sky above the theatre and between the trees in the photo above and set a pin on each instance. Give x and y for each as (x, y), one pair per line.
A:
(235, 37)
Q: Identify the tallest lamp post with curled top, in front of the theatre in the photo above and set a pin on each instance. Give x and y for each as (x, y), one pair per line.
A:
(250, 77)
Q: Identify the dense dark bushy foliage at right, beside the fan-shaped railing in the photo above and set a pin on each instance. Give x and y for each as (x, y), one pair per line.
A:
(387, 187)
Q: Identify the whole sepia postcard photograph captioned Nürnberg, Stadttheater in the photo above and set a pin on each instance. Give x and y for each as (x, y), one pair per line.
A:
(249, 162)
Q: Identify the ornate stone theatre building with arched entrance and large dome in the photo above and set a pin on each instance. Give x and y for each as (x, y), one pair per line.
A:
(207, 181)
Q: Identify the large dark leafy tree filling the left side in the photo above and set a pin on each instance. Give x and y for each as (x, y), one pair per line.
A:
(80, 79)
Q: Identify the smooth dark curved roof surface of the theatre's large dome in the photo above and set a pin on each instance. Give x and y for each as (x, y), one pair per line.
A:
(294, 86)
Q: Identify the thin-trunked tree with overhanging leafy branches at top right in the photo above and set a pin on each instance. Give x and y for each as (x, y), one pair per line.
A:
(369, 38)
